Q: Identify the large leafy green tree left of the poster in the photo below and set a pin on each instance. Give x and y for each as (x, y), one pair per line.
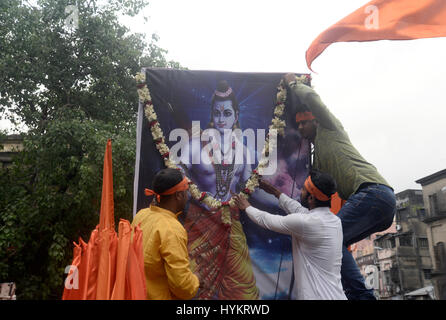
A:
(72, 88)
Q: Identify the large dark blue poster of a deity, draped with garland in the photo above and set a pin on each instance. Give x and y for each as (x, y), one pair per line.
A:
(215, 125)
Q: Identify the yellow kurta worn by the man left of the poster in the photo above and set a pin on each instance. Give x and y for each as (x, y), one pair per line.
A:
(166, 259)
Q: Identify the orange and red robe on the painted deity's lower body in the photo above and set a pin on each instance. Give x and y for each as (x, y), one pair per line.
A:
(219, 254)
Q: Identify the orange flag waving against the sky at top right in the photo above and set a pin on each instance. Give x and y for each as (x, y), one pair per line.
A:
(385, 20)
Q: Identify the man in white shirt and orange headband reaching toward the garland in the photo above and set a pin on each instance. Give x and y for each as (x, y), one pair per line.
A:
(316, 235)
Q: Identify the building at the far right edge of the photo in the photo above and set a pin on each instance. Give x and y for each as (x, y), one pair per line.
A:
(434, 197)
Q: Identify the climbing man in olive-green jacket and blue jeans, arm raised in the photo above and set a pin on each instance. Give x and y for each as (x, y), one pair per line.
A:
(370, 202)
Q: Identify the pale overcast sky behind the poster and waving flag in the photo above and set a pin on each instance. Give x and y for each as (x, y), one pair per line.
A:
(389, 95)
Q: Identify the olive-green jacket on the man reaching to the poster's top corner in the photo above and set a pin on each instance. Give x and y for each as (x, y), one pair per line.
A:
(333, 151)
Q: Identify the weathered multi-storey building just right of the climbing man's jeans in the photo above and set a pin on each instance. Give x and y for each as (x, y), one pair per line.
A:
(402, 263)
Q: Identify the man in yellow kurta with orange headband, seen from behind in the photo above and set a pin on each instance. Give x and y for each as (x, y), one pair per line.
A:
(166, 259)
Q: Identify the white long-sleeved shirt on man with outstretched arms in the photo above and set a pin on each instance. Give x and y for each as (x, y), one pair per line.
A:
(317, 247)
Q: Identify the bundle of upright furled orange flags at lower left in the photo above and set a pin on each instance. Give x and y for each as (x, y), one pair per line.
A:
(107, 267)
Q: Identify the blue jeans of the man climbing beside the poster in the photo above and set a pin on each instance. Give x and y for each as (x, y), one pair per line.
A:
(371, 209)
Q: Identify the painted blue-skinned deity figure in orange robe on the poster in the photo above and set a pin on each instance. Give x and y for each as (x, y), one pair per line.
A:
(211, 244)
